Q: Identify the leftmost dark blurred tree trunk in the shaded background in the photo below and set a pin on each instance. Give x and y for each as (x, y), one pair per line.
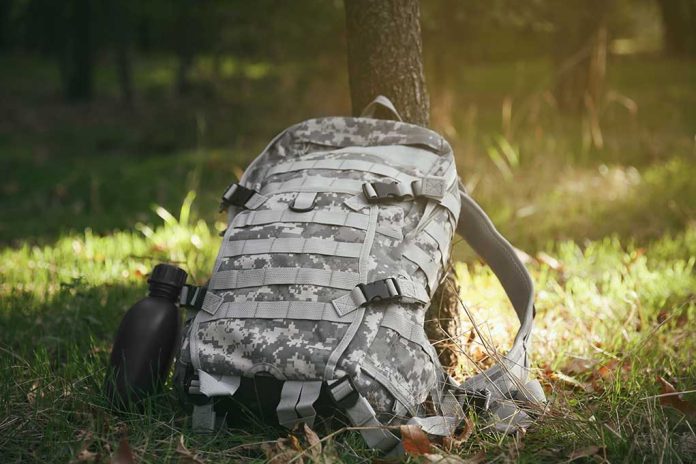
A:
(78, 76)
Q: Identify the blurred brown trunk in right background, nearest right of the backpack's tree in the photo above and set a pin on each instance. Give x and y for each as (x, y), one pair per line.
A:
(580, 53)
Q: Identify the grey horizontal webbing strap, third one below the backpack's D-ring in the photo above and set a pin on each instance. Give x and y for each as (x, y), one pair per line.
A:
(223, 280)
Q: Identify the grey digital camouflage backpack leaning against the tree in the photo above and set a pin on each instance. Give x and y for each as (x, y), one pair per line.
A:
(337, 238)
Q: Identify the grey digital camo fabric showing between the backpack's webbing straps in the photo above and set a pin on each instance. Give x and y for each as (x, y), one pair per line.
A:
(300, 349)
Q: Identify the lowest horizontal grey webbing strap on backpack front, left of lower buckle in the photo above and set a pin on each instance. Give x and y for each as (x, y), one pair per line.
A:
(307, 310)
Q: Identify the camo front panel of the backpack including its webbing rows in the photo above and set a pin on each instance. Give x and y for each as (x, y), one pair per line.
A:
(382, 359)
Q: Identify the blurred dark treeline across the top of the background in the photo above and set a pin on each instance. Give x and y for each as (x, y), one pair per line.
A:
(79, 33)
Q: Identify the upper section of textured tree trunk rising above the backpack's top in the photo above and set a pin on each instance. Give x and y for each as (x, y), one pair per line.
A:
(385, 56)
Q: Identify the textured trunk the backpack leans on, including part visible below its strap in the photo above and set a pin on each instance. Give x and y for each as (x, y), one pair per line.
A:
(385, 58)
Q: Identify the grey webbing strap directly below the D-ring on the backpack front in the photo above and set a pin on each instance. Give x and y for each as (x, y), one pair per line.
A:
(354, 220)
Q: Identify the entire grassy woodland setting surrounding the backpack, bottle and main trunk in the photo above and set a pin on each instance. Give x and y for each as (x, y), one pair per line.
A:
(111, 112)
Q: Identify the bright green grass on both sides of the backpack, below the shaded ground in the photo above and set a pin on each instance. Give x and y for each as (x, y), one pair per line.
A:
(611, 317)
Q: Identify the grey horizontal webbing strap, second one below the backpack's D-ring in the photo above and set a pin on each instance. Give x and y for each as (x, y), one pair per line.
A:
(291, 245)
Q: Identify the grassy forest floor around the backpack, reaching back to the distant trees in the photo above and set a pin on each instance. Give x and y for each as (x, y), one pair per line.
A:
(605, 210)
